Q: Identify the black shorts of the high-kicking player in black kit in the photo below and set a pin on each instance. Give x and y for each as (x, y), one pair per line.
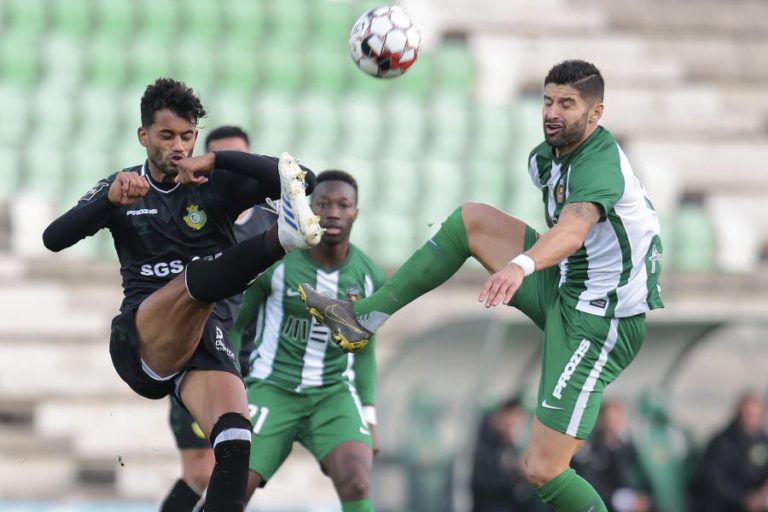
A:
(213, 353)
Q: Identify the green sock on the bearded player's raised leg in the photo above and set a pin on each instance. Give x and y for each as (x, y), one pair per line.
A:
(427, 268)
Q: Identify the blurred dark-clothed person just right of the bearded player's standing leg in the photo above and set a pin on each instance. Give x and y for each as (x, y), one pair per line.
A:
(609, 461)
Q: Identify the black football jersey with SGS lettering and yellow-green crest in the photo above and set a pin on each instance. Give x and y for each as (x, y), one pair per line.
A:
(157, 236)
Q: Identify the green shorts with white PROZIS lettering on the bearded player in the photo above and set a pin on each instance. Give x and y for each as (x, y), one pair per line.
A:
(582, 353)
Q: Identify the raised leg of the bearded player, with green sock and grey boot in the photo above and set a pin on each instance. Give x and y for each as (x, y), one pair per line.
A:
(477, 230)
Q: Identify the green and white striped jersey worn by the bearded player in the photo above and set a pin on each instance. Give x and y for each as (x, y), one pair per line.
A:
(616, 272)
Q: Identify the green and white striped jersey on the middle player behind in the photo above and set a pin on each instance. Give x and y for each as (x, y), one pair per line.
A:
(292, 350)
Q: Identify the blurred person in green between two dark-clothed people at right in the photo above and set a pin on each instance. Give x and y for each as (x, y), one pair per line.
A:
(665, 452)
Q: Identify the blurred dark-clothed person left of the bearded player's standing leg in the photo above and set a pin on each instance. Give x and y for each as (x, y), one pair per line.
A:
(498, 482)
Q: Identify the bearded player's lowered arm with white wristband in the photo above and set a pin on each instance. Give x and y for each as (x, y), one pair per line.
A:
(565, 238)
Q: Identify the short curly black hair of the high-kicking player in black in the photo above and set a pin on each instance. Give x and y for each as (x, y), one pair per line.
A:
(173, 95)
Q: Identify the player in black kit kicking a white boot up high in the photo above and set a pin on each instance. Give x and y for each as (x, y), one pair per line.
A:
(171, 221)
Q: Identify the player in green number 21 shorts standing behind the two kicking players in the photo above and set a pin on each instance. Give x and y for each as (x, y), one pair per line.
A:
(301, 387)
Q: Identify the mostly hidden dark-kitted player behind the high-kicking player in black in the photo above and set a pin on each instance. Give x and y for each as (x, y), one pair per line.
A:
(196, 455)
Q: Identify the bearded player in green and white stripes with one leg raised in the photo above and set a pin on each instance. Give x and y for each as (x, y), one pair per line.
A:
(587, 282)
